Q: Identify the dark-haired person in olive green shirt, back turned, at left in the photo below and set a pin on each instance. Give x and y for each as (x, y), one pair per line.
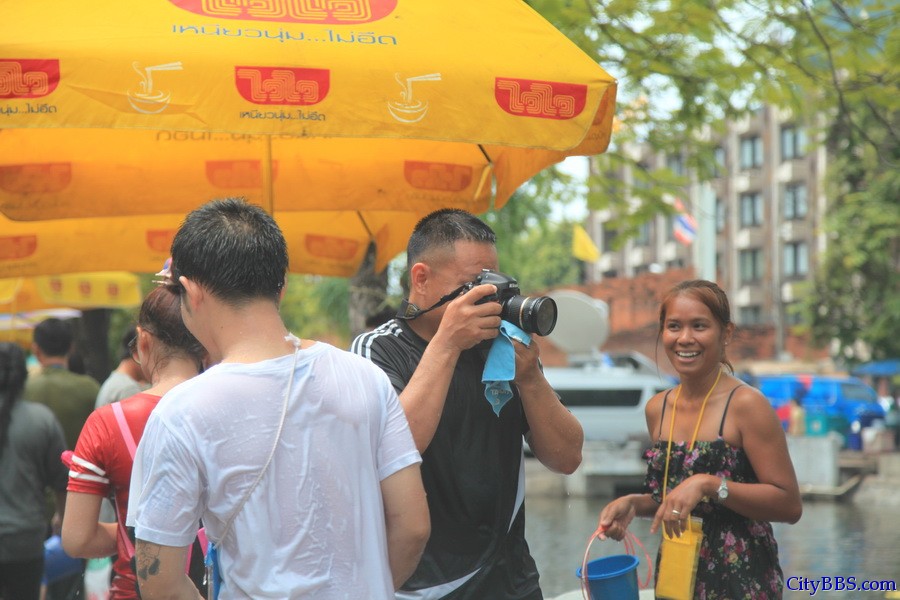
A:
(69, 395)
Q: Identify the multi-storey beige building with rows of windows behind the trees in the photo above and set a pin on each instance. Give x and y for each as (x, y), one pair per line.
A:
(755, 229)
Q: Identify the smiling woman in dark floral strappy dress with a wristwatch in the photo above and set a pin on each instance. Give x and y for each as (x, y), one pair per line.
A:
(724, 450)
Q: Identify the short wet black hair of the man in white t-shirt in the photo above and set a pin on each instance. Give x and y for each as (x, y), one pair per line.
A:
(232, 248)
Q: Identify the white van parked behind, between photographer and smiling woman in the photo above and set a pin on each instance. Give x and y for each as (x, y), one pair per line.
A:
(608, 401)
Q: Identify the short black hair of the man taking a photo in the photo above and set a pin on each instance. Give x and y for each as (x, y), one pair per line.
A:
(442, 229)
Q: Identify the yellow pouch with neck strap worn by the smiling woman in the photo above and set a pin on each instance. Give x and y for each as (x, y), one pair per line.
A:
(678, 556)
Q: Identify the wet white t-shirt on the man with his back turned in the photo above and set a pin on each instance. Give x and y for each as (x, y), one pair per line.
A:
(314, 526)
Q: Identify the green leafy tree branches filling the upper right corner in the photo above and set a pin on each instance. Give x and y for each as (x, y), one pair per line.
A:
(685, 66)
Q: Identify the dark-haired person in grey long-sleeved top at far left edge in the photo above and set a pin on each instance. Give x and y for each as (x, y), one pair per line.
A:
(31, 441)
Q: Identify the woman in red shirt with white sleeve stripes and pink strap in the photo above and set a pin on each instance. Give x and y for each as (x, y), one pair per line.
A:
(102, 461)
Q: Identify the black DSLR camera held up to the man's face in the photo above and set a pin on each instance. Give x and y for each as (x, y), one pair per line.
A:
(532, 315)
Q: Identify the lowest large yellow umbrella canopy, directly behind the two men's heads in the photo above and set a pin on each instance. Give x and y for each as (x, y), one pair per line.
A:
(322, 242)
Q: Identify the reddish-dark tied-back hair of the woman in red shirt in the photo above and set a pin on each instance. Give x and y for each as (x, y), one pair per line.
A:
(160, 315)
